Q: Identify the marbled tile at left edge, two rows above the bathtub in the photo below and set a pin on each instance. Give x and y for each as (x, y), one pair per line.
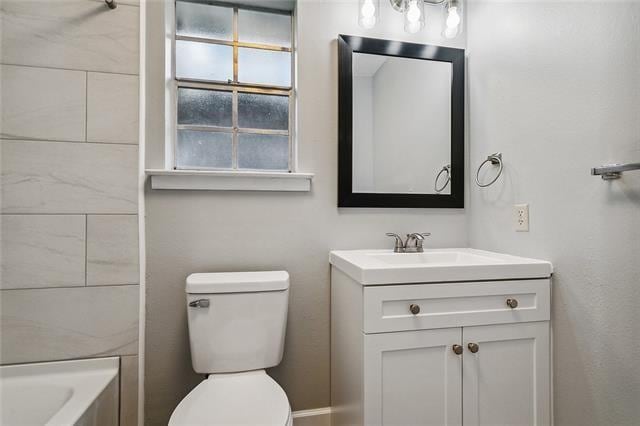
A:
(42, 251)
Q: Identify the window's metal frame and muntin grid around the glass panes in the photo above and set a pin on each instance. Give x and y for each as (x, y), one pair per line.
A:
(235, 87)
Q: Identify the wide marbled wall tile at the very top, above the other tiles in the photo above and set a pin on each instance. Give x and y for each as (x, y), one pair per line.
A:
(76, 34)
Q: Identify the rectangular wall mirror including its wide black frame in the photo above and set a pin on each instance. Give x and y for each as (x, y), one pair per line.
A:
(401, 124)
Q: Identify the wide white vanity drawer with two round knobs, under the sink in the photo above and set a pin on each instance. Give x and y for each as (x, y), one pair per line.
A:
(388, 307)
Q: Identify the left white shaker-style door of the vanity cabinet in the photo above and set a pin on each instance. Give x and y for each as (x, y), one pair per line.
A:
(413, 378)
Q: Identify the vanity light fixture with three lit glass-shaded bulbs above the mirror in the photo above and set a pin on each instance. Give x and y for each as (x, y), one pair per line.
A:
(414, 14)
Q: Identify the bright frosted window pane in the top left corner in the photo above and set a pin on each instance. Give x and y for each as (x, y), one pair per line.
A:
(201, 20)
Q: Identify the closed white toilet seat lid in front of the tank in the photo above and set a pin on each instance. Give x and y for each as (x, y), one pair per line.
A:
(247, 398)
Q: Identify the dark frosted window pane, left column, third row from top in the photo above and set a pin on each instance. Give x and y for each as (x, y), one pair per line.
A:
(204, 107)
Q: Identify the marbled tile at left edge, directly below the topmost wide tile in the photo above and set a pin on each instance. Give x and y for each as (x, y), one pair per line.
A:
(43, 103)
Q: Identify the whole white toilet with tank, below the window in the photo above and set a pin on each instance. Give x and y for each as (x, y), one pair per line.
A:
(237, 325)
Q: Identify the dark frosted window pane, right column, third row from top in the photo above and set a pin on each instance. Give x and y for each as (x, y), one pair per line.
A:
(263, 111)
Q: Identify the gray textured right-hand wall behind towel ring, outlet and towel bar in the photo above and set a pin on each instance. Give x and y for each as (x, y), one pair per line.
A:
(556, 88)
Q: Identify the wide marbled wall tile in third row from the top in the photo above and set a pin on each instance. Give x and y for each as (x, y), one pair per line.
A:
(60, 177)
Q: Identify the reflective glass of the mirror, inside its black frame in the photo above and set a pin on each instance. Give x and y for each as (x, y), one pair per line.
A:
(401, 124)
